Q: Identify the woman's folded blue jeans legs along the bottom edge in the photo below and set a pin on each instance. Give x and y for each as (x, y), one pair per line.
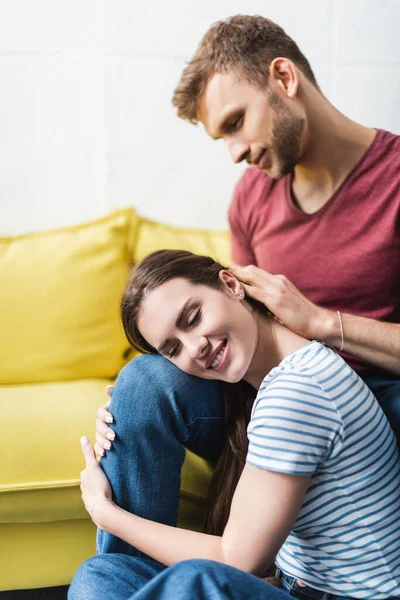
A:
(120, 577)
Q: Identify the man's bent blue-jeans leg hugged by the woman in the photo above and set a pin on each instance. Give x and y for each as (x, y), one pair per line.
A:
(158, 411)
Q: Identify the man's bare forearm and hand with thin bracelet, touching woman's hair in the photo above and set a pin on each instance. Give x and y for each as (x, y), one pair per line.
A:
(376, 342)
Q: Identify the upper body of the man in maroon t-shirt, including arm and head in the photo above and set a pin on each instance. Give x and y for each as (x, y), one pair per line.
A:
(319, 210)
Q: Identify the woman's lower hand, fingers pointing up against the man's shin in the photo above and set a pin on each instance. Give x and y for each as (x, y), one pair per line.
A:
(95, 486)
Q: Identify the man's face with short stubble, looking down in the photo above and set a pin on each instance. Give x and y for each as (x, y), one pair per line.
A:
(257, 125)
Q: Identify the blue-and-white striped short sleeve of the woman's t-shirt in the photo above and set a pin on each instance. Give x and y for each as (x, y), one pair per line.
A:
(294, 427)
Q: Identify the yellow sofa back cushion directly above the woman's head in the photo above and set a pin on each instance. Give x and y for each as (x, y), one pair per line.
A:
(153, 236)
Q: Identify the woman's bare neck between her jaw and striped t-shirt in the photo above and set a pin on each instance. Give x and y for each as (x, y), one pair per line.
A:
(275, 342)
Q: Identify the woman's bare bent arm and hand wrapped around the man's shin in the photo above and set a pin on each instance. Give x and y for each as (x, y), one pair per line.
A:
(264, 508)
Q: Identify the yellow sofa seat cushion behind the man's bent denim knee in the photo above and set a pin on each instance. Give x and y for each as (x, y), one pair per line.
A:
(42, 458)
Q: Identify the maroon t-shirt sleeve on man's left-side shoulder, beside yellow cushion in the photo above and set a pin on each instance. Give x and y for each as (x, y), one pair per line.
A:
(241, 250)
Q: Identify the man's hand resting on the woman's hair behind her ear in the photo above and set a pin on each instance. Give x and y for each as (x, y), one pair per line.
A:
(285, 301)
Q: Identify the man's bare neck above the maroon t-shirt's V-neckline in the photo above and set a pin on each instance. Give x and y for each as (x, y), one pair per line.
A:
(335, 144)
